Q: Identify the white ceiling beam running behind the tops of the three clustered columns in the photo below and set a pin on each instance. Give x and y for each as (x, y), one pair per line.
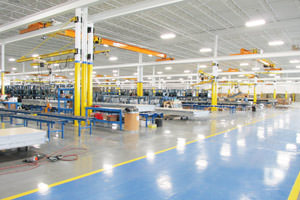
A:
(144, 5)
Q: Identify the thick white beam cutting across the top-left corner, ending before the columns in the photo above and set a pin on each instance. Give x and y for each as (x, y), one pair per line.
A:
(50, 12)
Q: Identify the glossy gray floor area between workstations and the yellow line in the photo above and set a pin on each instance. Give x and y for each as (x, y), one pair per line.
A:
(108, 147)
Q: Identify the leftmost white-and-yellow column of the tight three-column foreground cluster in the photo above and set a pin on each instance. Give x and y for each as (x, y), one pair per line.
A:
(77, 63)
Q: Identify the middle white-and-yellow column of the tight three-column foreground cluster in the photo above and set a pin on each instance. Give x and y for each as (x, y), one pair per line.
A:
(84, 61)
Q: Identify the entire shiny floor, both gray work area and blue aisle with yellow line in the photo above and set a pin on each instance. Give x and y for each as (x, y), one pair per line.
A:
(228, 156)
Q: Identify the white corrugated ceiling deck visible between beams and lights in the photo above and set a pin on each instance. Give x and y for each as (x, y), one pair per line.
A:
(195, 22)
